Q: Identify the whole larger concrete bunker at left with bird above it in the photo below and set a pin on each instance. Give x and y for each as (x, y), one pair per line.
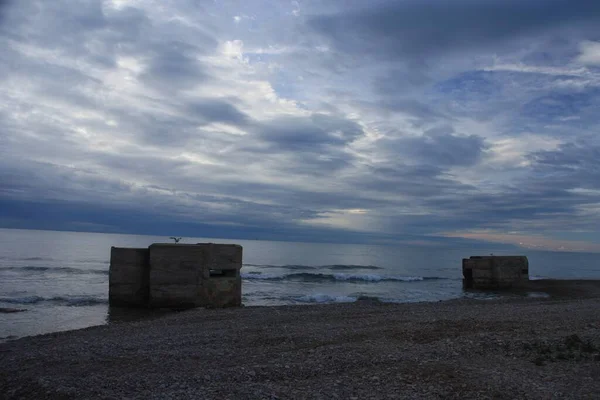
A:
(176, 276)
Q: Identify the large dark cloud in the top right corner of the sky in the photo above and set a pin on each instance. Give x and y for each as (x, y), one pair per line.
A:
(418, 29)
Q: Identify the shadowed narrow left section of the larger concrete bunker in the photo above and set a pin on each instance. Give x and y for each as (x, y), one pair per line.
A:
(128, 278)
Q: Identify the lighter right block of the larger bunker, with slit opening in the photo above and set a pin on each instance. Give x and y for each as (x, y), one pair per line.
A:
(195, 275)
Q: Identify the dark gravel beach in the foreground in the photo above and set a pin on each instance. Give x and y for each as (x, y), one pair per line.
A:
(464, 349)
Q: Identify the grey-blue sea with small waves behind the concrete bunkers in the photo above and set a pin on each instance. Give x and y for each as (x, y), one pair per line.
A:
(60, 279)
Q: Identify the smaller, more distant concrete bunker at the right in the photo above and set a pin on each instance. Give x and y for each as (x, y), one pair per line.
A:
(495, 272)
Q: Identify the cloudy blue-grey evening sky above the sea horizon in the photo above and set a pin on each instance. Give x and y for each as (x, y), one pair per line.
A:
(420, 122)
